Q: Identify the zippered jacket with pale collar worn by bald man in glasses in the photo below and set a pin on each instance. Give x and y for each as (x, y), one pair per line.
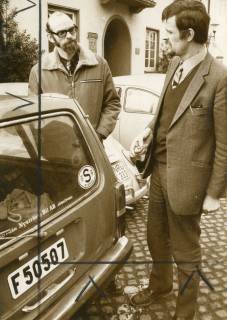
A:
(91, 85)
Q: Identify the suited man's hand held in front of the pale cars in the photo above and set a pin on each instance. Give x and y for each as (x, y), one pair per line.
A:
(140, 143)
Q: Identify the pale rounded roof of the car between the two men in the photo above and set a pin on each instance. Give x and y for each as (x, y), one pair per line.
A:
(151, 81)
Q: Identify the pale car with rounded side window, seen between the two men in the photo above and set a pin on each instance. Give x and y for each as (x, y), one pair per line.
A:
(139, 98)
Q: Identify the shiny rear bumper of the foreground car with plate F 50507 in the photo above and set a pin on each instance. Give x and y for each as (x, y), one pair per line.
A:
(100, 272)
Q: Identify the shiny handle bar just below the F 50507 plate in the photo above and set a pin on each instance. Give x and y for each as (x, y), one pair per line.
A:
(50, 292)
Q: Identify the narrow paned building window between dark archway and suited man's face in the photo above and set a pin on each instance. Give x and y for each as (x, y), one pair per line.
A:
(151, 50)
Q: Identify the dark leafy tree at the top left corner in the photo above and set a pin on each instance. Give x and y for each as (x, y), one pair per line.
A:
(18, 51)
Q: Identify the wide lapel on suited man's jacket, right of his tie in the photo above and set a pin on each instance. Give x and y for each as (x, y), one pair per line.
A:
(193, 88)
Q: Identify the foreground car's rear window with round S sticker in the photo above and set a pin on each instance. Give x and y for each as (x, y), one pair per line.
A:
(47, 160)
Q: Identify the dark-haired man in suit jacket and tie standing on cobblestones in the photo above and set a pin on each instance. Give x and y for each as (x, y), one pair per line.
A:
(187, 157)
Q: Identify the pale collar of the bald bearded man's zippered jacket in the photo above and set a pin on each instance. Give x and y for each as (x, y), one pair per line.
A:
(52, 60)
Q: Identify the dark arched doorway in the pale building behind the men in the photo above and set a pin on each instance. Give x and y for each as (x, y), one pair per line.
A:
(117, 47)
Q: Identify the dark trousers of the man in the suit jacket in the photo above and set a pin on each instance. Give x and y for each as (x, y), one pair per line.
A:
(169, 237)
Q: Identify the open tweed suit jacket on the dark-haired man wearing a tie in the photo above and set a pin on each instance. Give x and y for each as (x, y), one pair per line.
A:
(196, 141)
